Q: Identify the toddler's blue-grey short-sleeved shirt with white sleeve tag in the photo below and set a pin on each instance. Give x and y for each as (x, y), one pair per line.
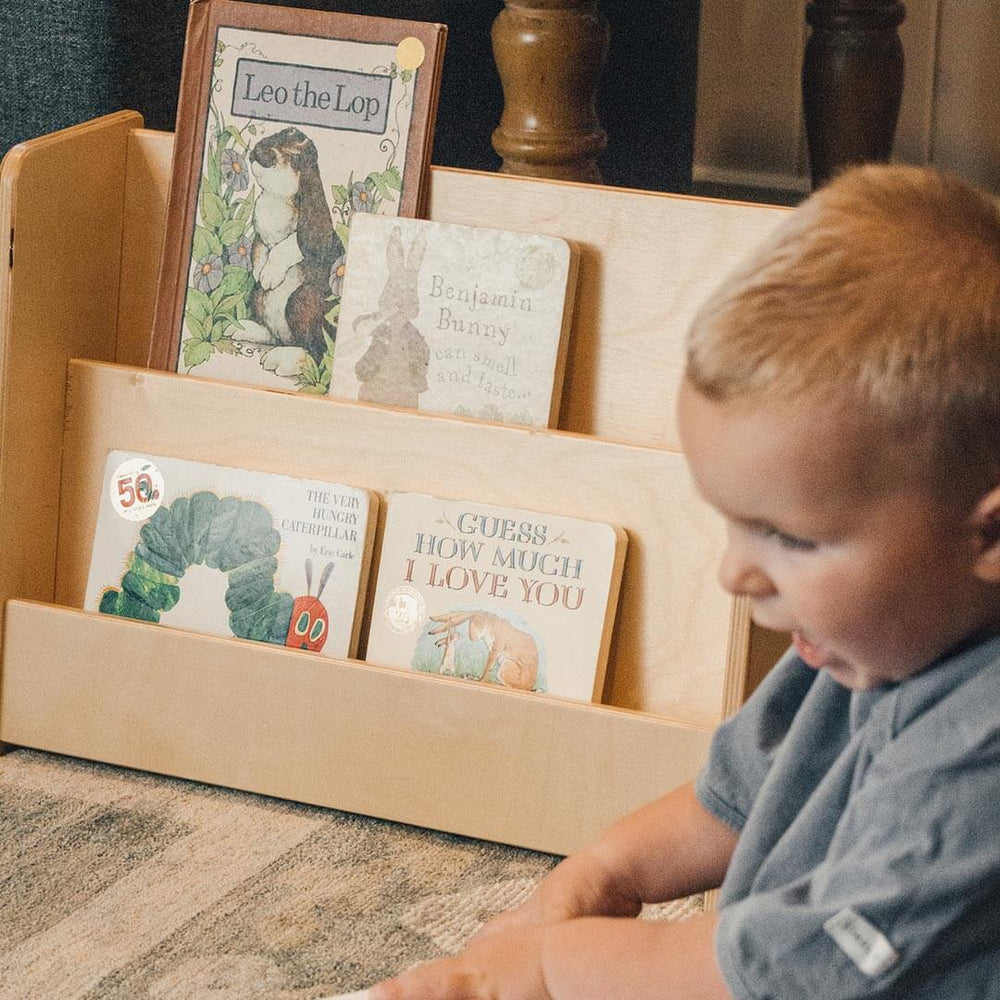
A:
(868, 863)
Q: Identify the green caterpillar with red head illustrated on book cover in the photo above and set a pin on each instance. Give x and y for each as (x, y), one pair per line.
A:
(238, 538)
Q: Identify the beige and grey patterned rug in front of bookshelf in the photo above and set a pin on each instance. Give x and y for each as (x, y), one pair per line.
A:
(121, 885)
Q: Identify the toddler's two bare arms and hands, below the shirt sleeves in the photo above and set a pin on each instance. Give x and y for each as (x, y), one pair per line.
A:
(561, 945)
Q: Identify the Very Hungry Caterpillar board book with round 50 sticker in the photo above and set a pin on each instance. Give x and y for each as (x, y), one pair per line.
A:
(232, 552)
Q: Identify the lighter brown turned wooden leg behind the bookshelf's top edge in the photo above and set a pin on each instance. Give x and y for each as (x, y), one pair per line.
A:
(550, 54)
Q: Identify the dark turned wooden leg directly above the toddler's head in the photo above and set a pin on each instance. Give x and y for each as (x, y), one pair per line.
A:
(852, 82)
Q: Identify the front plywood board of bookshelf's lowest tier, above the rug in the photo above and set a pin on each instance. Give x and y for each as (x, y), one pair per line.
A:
(450, 755)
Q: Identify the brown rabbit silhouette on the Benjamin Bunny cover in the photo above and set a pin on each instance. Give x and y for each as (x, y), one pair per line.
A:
(393, 368)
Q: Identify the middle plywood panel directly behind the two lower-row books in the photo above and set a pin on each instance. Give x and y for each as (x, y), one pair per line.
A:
(671, 642)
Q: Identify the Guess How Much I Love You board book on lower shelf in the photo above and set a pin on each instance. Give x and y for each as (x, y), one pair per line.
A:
(498, 595)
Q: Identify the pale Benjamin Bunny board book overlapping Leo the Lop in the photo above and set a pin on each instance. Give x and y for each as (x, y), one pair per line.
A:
(455, 319)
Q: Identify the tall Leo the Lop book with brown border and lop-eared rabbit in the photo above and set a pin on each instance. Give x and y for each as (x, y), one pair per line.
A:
(290, 122)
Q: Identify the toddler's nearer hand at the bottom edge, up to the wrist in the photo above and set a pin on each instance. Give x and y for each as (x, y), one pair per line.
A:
(500, 966)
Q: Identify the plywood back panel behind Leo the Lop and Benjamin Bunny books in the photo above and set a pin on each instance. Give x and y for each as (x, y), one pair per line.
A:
(647, 262)
